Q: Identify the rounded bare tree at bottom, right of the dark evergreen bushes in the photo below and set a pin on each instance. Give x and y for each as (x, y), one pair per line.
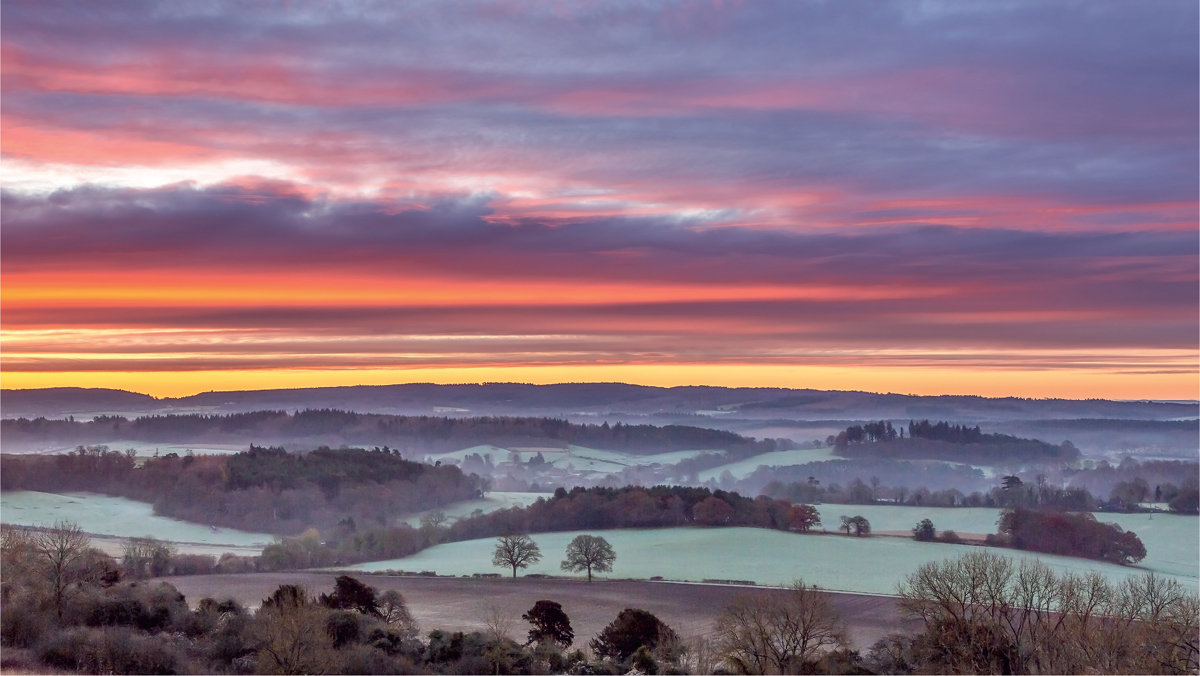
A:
(778, 633)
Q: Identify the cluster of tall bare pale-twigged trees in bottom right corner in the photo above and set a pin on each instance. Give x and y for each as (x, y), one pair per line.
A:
(982, 614)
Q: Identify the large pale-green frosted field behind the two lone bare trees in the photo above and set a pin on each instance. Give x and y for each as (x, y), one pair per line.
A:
(769, 558)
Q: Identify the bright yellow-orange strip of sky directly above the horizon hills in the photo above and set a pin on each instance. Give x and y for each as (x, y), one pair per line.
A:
(1024, 384)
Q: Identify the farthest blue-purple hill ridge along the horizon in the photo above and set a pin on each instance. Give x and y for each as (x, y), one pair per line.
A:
(573, 400)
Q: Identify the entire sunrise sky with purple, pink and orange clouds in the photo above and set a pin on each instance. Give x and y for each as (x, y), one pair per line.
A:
(995, 199)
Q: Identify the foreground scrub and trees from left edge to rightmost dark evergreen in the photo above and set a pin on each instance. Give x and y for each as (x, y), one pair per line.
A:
(94, 620)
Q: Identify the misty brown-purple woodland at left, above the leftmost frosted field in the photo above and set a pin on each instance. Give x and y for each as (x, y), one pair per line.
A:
(265, 489)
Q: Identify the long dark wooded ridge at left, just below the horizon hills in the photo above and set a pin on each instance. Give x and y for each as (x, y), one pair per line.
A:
(417, 434)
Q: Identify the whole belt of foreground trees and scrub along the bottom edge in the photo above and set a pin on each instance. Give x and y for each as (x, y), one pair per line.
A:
(68, 607)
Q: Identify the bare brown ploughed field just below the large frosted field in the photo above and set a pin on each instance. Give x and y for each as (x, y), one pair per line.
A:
(460, 605)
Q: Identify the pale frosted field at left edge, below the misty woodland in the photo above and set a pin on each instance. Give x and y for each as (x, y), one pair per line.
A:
(105, 516)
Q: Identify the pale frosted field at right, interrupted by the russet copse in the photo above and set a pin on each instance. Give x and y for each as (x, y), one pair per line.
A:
(1173, 542)
